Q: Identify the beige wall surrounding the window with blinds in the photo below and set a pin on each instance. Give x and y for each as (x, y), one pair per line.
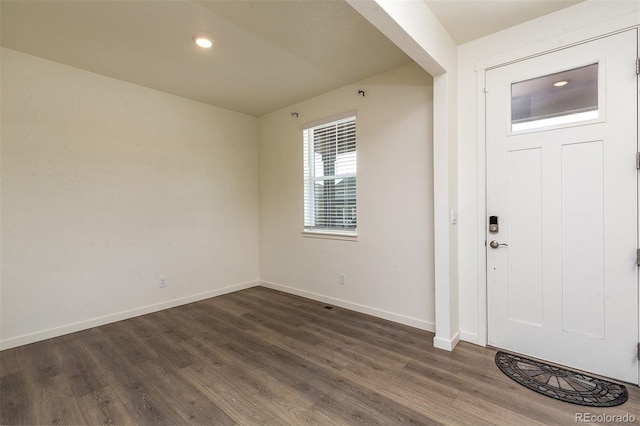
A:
(390, 268)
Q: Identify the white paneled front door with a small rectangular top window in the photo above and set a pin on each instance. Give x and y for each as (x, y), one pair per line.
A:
(562, 185)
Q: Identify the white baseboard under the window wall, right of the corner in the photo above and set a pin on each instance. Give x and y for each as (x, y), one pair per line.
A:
(402, 319)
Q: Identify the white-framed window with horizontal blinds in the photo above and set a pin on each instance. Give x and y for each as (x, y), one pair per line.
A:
(330, 177)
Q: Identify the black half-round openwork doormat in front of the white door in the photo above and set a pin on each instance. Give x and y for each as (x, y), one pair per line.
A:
(560, 383)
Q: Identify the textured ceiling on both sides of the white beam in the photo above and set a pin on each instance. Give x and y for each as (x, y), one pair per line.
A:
(267, 54)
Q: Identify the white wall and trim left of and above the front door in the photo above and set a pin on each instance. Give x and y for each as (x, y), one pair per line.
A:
(568, 26)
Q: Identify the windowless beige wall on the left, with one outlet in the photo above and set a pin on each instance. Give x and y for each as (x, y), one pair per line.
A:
(106, 186)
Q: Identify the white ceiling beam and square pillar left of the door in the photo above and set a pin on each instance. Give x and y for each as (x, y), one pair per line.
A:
(415, 29)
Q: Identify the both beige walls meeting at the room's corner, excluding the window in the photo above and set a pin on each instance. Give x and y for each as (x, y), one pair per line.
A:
(108, 186)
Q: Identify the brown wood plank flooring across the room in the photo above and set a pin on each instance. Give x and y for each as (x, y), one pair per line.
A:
(262, 357)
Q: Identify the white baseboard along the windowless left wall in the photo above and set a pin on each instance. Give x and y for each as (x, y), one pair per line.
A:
(95, 322)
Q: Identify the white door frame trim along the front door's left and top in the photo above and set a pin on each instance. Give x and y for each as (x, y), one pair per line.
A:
(482, 67)
